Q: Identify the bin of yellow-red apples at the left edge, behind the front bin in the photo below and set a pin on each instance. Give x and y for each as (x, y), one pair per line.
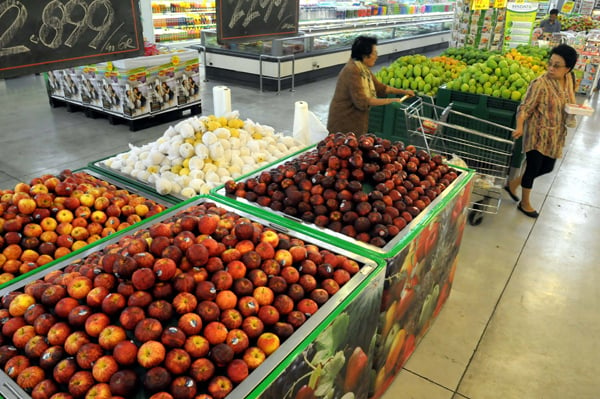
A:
(54, 216)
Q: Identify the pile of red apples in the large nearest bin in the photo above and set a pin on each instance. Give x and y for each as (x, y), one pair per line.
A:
(183, 309)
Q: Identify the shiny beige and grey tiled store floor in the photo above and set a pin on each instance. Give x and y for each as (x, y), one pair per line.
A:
(522, 320)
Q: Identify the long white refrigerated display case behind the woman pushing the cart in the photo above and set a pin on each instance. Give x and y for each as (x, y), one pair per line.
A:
(321, 48)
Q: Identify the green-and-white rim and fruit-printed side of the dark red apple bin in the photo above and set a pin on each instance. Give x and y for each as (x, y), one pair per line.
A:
(420, 265)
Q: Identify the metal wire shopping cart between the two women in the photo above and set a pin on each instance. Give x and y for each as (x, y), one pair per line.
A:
(484, 146)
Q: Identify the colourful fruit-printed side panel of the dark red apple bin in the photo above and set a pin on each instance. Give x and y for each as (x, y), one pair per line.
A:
(418, 282)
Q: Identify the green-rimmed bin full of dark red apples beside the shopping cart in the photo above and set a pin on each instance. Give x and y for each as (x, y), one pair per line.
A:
(420, 251)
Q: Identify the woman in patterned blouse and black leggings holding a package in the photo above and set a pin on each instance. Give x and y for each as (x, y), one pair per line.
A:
(541, 121)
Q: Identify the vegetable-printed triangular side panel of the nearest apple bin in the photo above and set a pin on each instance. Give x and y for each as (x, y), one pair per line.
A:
(338, 362)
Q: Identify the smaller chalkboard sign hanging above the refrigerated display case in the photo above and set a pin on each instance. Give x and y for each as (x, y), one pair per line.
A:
(243, 20)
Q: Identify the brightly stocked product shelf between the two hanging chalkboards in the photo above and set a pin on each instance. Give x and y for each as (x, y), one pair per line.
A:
(176, 22)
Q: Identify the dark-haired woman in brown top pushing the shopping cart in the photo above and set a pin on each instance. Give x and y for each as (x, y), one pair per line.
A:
(357, 90)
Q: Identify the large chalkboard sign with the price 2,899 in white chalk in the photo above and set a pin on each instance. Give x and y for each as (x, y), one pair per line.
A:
(43, 35)
